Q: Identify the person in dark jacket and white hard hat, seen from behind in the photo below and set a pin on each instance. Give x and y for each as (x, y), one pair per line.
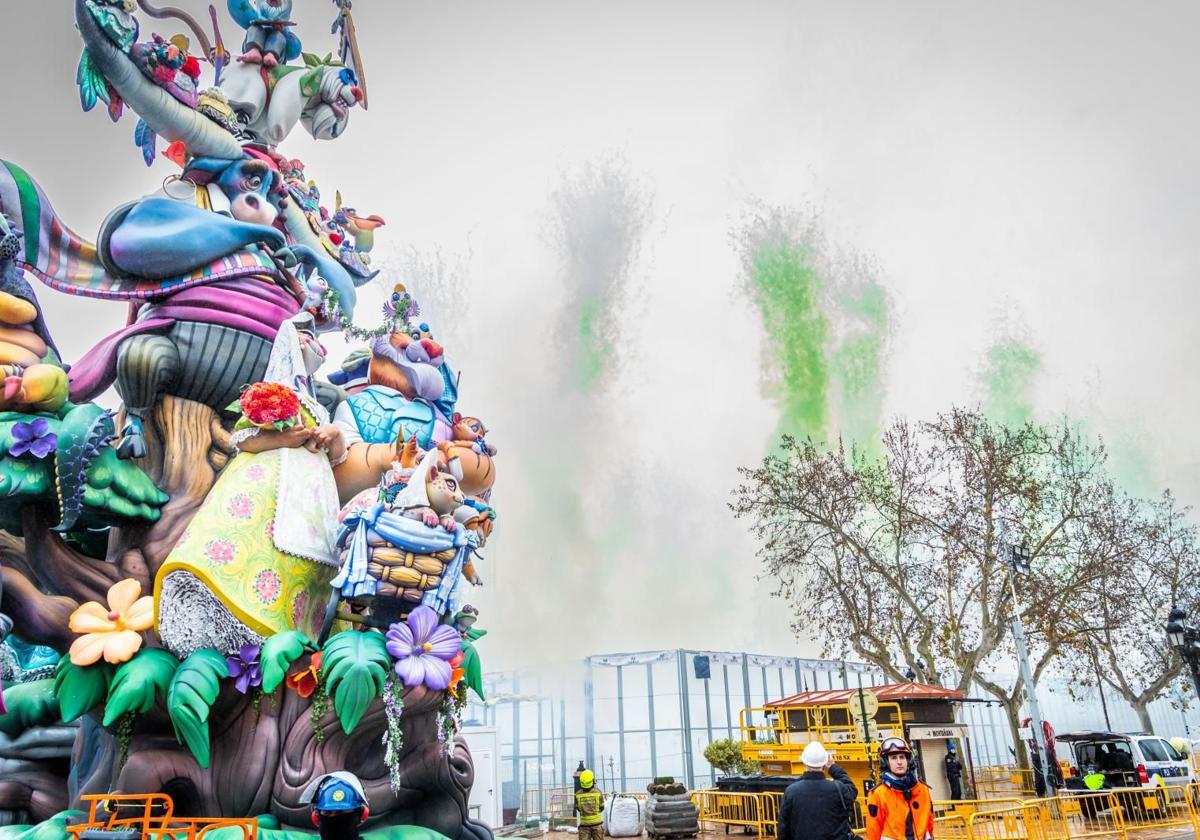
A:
(815, 807)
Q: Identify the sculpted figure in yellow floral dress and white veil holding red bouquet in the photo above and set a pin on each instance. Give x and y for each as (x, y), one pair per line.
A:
(260, 555)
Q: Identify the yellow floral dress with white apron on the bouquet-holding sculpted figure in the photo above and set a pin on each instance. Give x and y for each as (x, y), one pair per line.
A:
(263, 541)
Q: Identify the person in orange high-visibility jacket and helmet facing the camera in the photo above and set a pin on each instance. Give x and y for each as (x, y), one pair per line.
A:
(901, 807)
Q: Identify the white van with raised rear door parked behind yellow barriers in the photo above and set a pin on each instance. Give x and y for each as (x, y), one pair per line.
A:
(1126, 760)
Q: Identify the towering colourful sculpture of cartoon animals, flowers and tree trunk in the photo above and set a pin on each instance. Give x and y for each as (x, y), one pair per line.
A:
(249, 579)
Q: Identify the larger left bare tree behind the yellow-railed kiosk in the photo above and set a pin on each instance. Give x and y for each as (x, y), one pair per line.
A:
(904, 559)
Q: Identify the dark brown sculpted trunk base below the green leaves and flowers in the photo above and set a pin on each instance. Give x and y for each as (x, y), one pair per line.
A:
(262, 763)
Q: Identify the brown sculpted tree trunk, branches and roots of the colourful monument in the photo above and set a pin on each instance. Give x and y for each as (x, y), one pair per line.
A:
(262, 760)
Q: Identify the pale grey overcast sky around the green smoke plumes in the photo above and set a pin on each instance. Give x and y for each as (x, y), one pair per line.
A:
(1031, 165)
